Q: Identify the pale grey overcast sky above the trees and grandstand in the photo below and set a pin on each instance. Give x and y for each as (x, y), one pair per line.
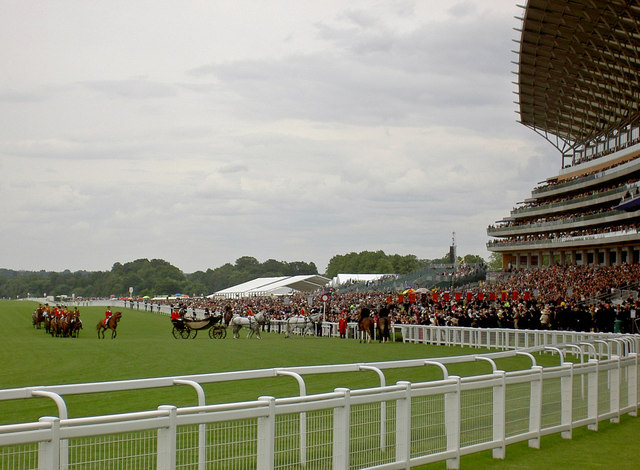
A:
(199, 132)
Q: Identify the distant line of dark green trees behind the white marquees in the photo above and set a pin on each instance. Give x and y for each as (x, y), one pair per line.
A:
(158, 277)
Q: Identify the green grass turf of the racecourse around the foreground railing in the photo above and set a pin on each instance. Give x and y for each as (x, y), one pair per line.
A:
(145, 348)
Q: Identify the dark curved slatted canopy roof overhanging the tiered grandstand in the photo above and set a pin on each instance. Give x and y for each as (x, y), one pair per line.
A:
(579, 63)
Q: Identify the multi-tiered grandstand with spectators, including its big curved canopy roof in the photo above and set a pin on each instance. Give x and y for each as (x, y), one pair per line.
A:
(578, 88)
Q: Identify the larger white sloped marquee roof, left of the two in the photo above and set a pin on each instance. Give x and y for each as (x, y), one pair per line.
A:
(274, 286)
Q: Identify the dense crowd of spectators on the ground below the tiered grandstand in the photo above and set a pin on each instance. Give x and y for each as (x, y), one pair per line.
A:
(558, 297)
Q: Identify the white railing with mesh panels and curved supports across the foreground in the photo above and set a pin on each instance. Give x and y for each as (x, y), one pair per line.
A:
(386, 427)
